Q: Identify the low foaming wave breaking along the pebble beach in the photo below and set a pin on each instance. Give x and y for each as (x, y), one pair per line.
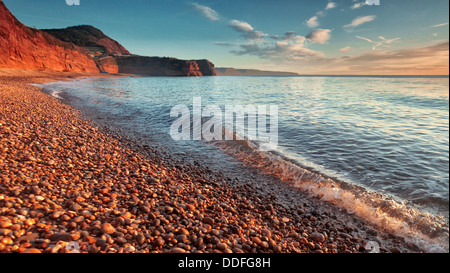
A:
(426, 231)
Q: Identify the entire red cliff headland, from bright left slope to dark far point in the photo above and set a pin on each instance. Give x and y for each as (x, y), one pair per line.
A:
(69, 50)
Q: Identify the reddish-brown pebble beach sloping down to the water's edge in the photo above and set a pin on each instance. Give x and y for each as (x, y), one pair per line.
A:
(65, 180)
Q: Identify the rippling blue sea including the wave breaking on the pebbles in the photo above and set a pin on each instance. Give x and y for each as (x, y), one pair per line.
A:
(377, 147)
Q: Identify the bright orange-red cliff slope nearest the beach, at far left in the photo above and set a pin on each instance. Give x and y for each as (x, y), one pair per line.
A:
(25, 48)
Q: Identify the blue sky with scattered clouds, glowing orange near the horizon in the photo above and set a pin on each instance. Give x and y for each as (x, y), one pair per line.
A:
(355, 37)
